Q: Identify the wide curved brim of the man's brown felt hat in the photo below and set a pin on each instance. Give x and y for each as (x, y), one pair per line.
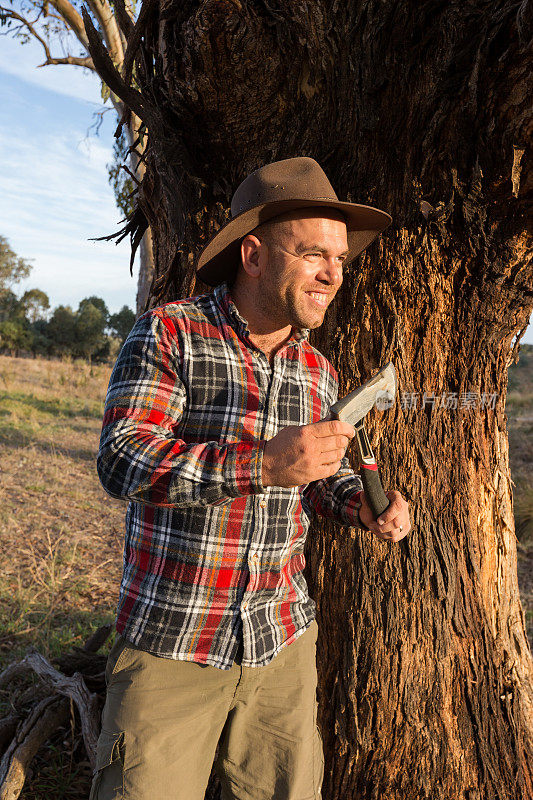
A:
(221, 255)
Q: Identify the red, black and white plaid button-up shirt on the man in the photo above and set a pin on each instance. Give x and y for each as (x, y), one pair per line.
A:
(212, 557)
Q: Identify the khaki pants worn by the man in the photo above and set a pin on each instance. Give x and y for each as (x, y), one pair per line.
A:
(163, 719)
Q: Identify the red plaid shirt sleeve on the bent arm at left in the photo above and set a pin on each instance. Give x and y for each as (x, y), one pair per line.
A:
(140, 458)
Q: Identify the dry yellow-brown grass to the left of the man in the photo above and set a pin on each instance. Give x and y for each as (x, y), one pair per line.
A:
(61, 537)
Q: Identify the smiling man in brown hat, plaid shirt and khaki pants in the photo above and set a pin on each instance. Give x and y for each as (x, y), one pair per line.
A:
(216, 430)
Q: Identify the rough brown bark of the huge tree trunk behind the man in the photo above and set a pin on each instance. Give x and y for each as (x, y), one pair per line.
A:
(419, 108)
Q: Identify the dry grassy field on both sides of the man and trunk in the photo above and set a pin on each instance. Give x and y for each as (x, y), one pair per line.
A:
(61, 542)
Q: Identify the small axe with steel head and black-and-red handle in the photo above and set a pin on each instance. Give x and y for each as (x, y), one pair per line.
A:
(379, 391)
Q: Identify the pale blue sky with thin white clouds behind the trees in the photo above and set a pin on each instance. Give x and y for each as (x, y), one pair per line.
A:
(54, 190)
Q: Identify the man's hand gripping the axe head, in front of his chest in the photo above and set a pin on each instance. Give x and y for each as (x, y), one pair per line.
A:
(300, 454)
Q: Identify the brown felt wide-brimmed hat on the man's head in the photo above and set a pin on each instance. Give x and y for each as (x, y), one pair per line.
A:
(273, 190)
